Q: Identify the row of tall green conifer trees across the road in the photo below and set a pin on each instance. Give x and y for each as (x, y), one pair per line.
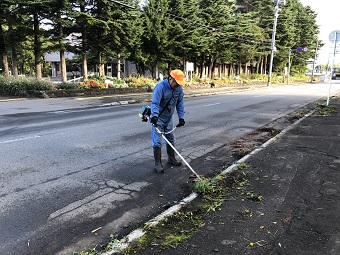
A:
(225, 35)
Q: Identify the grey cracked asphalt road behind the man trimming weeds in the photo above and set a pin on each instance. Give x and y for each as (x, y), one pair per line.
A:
(66, 171)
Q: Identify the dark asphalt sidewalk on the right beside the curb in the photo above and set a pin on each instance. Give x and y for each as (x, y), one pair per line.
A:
(296, 178)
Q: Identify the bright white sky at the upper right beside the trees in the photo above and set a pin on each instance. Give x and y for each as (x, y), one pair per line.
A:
(328, 20)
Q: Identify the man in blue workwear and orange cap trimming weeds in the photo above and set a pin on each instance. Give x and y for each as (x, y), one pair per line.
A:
(168, 95)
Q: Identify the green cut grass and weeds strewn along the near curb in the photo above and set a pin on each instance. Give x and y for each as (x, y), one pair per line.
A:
(175, 229)
